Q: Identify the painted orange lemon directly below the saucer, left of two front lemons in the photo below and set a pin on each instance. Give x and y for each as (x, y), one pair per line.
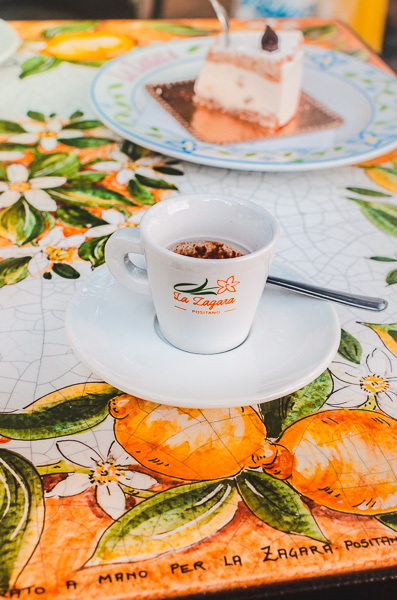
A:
(188, 443)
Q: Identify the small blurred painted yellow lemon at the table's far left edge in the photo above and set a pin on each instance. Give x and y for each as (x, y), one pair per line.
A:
(88, 45)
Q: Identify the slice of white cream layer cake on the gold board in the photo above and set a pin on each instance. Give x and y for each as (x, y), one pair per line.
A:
(251, 83)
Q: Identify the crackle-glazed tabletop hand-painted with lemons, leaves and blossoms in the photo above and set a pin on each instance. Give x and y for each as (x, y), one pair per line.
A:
(104, 494)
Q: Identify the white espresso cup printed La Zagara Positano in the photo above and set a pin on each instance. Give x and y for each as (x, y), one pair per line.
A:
(204, 306)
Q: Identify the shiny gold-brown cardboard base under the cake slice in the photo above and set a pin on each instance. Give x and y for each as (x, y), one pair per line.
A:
(213, 126)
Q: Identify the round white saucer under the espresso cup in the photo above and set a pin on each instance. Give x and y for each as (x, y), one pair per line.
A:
(293, 339)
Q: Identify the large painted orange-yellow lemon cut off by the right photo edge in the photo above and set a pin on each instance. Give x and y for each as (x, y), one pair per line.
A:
(343, 459)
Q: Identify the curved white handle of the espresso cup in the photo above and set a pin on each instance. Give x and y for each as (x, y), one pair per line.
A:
(119, 245)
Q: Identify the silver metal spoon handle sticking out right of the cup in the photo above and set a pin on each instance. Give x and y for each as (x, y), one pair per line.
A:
(365, 302)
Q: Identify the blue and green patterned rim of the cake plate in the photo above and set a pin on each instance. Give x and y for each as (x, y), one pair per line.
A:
(324, 60)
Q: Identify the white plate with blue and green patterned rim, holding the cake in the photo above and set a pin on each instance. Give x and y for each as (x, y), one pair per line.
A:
(364, 96)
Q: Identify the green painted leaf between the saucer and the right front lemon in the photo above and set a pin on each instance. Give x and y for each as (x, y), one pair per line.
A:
(280, 413)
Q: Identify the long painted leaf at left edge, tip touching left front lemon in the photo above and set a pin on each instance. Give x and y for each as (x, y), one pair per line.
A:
(64, 412)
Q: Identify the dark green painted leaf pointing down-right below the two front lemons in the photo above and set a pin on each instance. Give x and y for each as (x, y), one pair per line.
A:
(275, 503)
